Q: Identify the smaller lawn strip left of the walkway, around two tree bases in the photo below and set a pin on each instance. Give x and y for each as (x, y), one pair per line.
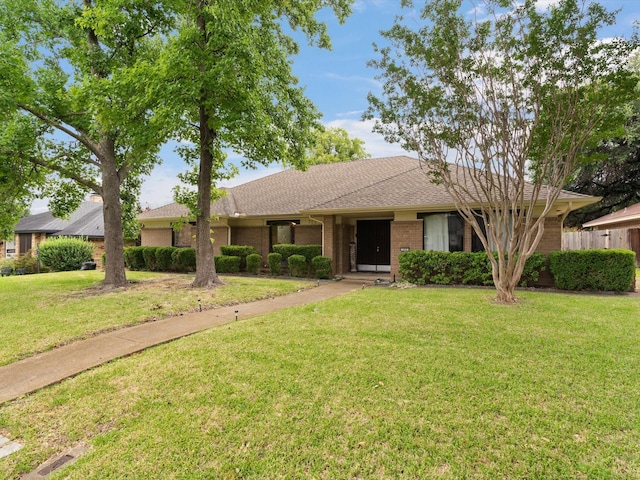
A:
(39, 312)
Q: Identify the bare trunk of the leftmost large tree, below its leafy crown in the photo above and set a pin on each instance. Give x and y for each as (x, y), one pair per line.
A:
(115, 276)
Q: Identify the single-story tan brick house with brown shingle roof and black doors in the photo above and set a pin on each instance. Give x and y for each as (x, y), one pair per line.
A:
(363, 213)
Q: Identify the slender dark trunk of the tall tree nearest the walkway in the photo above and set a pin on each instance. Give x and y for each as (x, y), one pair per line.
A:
(206, 276)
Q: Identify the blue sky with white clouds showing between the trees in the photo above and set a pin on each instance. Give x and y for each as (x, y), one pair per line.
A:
(338, 81)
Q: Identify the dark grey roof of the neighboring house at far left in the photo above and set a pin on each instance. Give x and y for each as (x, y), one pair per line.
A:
(86, 221)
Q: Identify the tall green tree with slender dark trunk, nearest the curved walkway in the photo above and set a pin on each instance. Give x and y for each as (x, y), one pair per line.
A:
(229, 75)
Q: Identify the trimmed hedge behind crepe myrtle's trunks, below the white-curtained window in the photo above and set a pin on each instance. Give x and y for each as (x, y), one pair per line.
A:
(459, 268)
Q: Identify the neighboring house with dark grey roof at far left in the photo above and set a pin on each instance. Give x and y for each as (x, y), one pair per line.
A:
(86, 222)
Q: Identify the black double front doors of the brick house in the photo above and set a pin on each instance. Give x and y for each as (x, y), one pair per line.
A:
(373, 238)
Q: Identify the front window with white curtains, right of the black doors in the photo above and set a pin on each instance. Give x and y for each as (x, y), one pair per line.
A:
(443, 232)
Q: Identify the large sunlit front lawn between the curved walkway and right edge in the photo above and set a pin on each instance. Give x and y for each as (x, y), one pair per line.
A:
(381, 383)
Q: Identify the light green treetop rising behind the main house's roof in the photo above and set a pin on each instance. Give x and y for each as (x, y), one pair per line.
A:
(333, 145)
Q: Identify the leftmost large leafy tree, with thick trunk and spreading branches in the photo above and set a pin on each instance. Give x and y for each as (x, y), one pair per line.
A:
(78, 78)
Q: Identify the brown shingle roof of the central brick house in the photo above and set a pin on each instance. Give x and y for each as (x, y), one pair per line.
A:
(381, 183)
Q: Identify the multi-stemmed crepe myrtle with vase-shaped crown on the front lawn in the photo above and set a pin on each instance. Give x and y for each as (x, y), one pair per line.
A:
(499, 104)
